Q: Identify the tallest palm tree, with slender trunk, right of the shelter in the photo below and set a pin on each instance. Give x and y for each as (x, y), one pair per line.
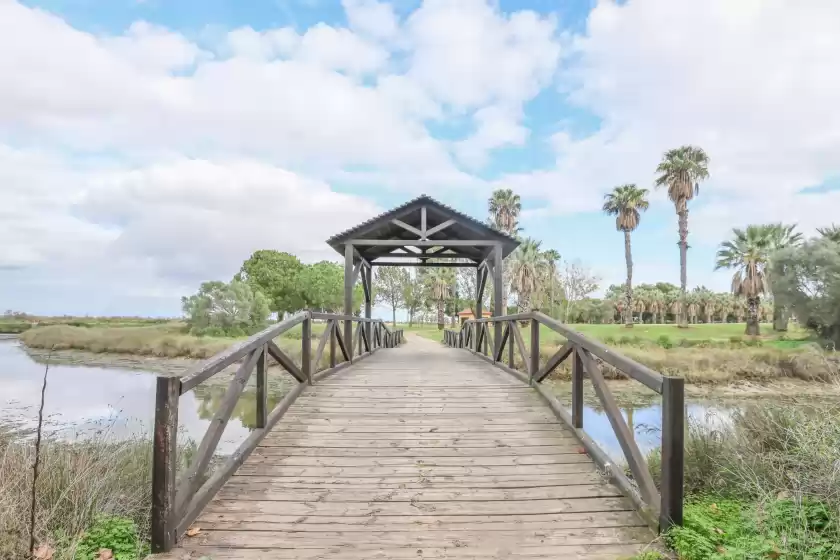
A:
(681, 171)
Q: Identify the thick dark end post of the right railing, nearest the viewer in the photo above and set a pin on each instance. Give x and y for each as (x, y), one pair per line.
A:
(673, 452)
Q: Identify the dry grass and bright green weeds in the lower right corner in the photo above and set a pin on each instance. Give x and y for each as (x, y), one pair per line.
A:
(766, 485)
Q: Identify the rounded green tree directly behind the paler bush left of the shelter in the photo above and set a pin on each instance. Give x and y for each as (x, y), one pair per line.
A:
(277, 275)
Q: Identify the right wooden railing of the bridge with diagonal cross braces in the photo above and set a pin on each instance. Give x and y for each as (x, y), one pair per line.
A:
(663, 505)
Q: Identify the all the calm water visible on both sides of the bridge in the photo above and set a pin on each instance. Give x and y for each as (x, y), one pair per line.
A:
(81, 400)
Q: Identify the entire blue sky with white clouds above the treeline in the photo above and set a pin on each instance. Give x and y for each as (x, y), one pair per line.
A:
(149, 145)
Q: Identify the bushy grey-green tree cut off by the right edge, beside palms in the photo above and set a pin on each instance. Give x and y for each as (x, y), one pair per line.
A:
(807, 278)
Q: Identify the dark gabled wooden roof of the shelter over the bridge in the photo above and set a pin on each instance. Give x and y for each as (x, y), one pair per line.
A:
(410, 231)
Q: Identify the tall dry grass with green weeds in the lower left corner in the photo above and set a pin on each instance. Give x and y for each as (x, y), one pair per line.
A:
(91, 492)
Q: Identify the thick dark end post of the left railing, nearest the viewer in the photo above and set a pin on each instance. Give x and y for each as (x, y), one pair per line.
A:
(165, 463)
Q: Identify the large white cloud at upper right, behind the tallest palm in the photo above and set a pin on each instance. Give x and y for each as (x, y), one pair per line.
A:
(754, 83)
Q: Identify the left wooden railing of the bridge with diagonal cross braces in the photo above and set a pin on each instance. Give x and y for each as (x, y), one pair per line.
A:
(178, 500)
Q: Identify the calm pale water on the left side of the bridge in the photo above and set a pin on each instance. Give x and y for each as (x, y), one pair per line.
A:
(81, 401)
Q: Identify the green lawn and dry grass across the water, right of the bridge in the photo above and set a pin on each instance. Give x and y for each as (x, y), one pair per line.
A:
(707, 356)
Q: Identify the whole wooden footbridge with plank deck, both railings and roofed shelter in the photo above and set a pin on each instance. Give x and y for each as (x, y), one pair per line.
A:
(402, 447)
